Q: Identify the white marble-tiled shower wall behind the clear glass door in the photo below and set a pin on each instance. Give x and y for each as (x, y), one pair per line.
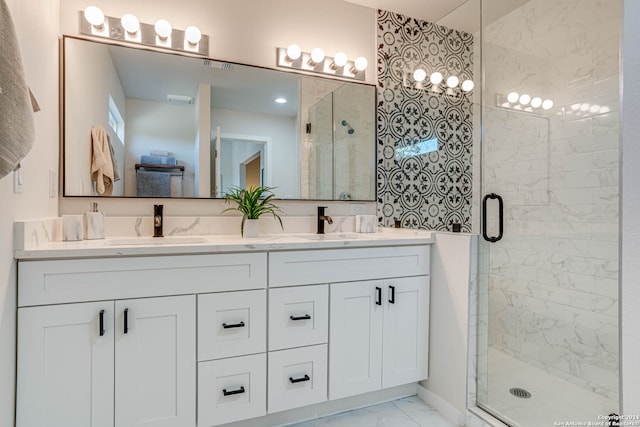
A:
(553, 278)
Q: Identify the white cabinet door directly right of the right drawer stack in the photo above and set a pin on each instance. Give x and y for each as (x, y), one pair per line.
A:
(355, 349)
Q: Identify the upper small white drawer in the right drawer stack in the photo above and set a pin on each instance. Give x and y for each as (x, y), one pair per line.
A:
(298, 316)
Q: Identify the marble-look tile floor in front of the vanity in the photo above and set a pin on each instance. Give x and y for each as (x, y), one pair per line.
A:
(408, 412)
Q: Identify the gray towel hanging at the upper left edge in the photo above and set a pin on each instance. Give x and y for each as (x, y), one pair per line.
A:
(16, 115)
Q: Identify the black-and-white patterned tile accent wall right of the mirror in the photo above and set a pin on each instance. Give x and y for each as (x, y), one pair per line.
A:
(431, 190)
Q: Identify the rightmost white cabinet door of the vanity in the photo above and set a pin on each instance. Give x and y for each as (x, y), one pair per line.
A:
(406, 330)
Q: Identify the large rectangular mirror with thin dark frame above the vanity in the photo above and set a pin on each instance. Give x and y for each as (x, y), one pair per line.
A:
(167, 125)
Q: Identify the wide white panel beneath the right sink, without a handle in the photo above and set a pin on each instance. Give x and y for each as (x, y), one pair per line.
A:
(346, 265)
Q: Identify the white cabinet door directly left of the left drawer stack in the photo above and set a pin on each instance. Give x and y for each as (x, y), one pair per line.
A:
(155, 379)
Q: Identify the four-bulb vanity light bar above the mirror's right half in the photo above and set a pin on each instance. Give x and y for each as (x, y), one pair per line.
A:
(316, 62)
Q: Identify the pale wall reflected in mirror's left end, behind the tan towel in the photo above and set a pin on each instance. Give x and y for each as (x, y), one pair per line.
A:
(91, 63)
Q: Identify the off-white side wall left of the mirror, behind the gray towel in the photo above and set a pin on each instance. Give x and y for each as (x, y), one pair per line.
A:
(37, 26)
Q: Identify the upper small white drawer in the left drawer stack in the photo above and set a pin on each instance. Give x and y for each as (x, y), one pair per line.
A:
(231, 324)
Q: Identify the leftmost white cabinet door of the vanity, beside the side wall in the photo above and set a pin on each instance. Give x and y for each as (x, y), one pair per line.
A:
(65, 365)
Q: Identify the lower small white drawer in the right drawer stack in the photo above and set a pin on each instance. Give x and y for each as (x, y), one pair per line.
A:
(297, 377)
